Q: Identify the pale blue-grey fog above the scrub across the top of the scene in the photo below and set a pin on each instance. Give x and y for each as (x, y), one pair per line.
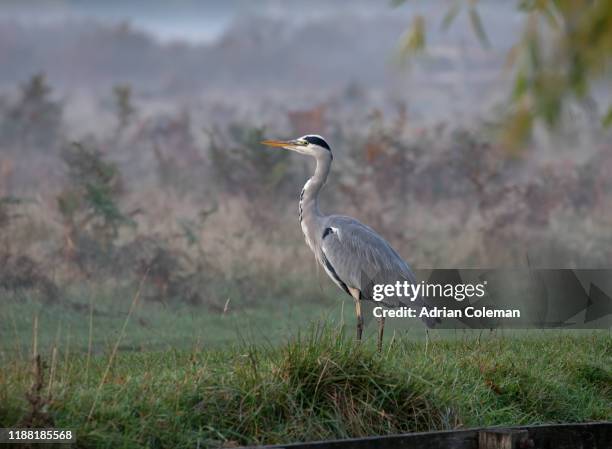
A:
(301, 52)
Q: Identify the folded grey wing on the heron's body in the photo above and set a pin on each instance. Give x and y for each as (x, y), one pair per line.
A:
(355, 256)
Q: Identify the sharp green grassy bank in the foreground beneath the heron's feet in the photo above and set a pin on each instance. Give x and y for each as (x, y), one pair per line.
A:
(320, 385)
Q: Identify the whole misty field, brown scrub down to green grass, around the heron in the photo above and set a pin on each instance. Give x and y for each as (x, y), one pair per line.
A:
(158, 270)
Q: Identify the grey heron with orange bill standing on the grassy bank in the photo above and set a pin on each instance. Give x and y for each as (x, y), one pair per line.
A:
(352, 254)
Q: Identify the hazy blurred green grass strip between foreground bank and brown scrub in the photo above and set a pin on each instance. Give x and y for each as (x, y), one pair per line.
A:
(154, 325)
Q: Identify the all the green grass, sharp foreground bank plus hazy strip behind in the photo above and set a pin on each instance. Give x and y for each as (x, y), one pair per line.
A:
(194, 377)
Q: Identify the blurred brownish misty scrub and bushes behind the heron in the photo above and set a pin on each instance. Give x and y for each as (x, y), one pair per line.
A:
(201, 214)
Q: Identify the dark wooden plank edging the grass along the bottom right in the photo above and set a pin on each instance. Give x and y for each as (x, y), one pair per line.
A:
(556, 436)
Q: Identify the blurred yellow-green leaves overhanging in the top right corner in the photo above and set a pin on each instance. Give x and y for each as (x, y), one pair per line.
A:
(565, 49)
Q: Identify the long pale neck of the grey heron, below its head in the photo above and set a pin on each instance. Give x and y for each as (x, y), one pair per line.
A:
(310, 215)
